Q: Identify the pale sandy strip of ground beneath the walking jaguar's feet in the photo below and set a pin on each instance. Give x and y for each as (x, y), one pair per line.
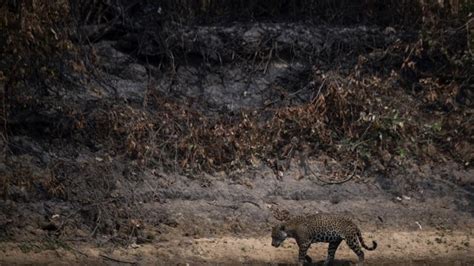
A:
(422, 247)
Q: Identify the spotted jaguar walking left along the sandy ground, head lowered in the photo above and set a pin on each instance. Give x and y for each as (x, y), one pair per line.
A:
(327, 228)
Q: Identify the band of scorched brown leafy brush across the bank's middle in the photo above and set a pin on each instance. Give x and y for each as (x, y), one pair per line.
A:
(351, 117)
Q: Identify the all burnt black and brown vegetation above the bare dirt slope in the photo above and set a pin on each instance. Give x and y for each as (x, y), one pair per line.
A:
(390, 83)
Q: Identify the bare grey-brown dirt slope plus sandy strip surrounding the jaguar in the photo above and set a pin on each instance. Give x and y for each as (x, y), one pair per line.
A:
(222, 221)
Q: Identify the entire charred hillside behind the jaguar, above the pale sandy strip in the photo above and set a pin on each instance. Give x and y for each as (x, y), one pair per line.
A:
(125, 120)
